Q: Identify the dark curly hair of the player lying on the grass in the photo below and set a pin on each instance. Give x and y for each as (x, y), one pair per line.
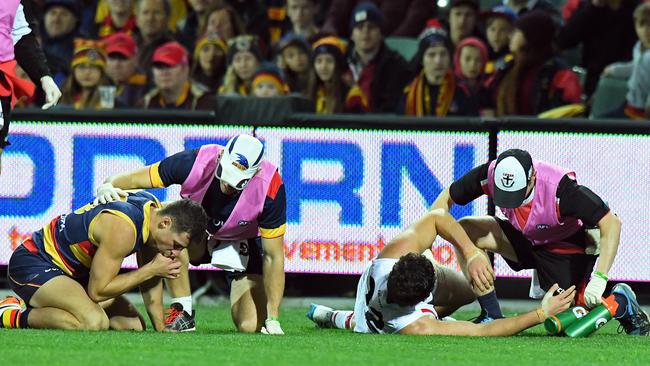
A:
(411, 280)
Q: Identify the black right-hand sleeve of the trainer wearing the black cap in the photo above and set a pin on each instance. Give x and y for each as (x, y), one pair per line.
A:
(580, 202)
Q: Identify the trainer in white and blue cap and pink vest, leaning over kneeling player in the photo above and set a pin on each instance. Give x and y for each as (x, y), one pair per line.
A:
(244, 197)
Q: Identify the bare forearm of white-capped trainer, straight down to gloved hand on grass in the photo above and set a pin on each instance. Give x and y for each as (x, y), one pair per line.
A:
(273, 269)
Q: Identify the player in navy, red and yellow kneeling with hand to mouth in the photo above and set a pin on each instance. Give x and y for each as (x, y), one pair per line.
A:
(68, 273)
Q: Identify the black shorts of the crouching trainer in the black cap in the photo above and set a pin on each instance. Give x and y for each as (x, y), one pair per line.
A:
(563, 269)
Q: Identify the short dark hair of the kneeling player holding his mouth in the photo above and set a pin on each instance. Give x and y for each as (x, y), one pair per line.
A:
(187, 217)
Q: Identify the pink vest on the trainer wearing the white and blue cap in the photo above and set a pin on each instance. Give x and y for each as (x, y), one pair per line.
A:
(242, 222)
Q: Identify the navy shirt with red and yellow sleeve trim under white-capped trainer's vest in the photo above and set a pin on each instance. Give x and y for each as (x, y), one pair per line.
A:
(176, 168)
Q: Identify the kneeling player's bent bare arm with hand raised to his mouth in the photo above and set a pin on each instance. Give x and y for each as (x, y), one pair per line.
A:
(116, 238)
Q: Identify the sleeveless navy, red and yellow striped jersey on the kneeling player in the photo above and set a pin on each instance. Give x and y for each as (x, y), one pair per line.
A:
(68, 241)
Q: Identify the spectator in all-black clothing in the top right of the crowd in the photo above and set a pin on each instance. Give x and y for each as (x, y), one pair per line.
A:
(605, 29)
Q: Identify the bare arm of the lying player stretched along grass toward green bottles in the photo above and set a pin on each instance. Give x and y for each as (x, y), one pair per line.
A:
(551, 305)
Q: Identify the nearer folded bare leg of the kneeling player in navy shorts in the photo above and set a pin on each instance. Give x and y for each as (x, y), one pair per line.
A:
(62, 303)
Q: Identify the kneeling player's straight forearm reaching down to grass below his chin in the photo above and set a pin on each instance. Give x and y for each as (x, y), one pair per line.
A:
(152, 291)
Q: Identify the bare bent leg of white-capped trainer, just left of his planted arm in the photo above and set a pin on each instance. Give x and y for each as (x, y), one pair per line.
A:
(248, 302)
